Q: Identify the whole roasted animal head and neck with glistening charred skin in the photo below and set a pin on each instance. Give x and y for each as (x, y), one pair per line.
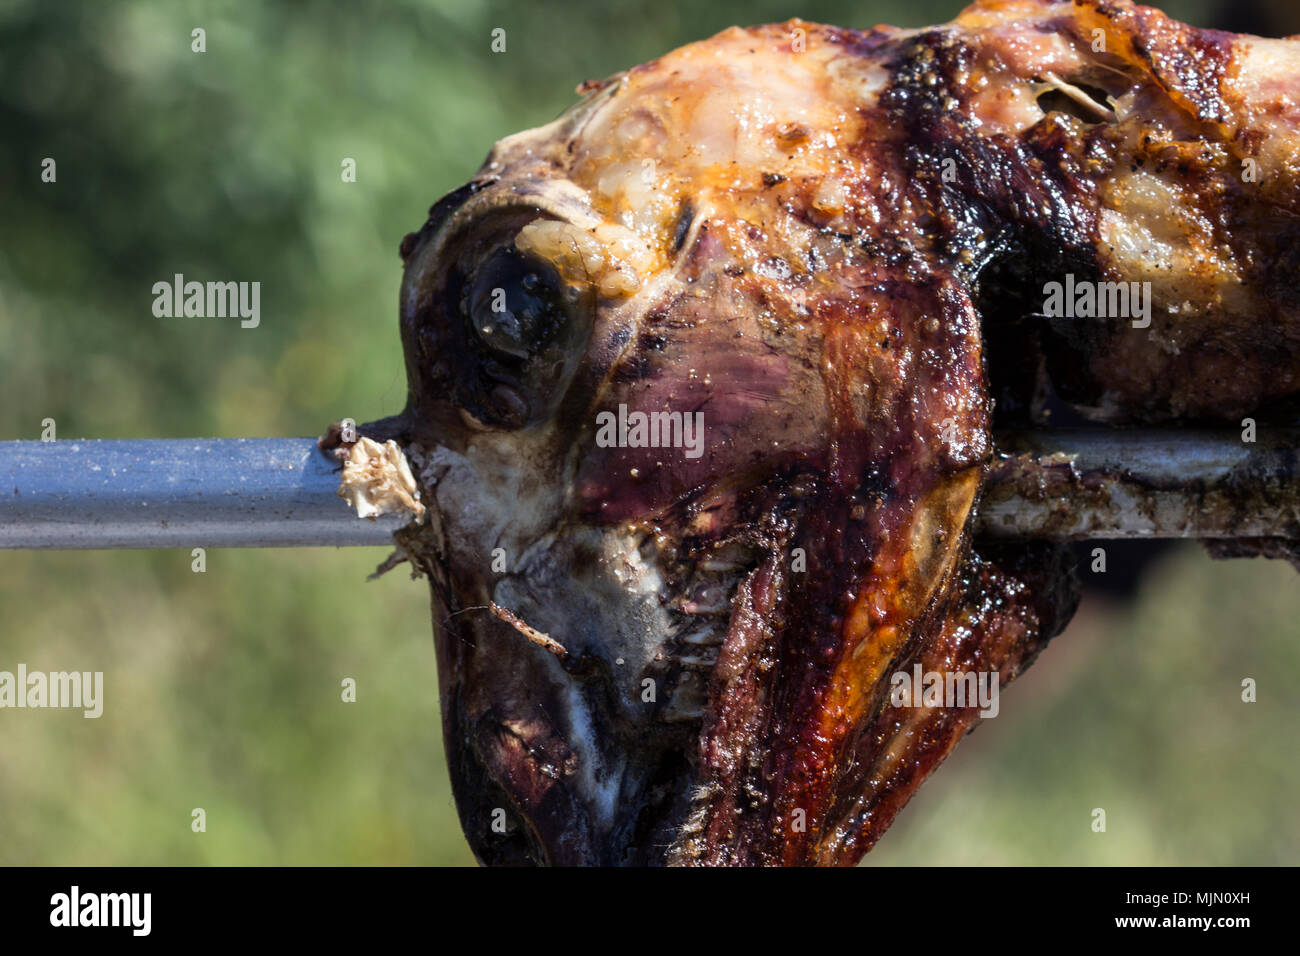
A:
(807, 235)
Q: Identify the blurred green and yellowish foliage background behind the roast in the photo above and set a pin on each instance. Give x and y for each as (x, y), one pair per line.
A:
(223, 689)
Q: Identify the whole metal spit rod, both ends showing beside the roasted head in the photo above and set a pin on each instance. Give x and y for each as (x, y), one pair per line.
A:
(283, 492)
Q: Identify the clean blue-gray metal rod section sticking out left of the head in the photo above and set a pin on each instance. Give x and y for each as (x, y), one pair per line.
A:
(176, 494)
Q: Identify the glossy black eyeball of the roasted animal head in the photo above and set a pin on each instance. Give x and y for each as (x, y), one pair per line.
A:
(515, 306)
